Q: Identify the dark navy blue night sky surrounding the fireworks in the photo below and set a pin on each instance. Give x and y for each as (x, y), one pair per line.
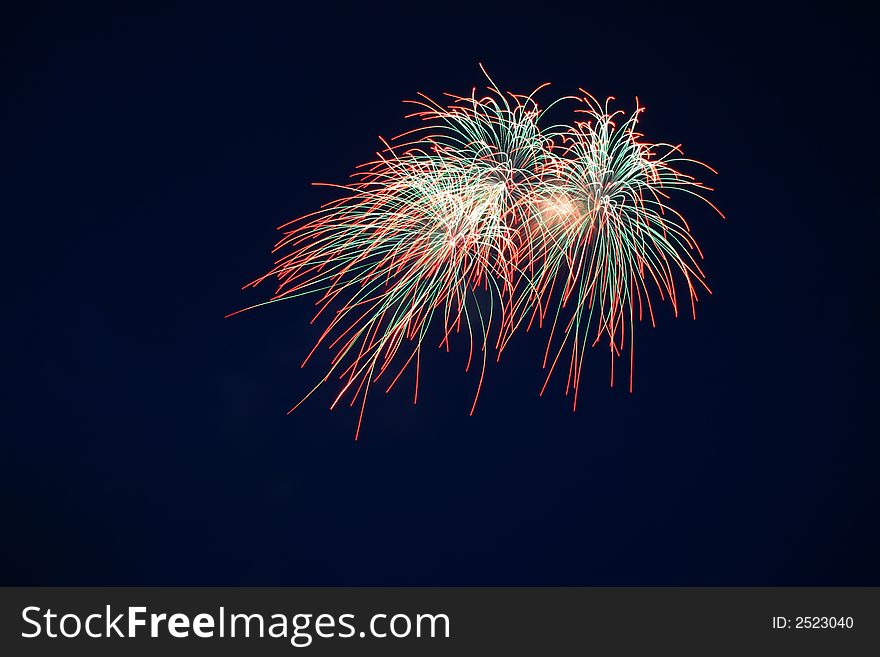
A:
(149, 156)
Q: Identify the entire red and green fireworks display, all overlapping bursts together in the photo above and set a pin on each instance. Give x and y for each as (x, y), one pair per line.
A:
(481, 220)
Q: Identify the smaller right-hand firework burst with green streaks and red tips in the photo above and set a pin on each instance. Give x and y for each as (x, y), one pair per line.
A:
(611, 238)
